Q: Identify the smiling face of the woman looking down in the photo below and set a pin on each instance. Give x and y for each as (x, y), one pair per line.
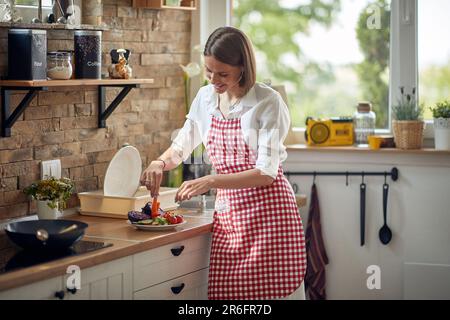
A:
(223, 77)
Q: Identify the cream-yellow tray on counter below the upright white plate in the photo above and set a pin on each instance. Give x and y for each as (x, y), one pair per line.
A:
(95, 203)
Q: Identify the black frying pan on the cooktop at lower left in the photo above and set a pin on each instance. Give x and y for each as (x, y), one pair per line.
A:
(23, 234)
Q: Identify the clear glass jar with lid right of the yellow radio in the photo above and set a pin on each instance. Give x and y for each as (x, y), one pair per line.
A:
(364, 123)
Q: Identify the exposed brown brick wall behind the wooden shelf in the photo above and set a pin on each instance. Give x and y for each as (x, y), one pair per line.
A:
(62, 123)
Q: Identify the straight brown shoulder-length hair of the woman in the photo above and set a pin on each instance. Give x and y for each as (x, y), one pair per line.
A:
(231, 46)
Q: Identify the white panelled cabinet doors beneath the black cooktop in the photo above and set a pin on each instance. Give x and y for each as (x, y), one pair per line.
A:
(111, 280)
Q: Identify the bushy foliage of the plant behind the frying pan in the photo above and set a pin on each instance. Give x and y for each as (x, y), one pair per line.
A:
(55, 191)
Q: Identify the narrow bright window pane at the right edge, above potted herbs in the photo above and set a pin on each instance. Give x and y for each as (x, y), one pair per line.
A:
(434, 52)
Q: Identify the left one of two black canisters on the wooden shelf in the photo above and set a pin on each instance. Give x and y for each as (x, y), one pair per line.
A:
(27, 54)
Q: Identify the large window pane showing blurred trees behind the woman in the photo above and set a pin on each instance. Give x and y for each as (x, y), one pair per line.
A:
(329, 54)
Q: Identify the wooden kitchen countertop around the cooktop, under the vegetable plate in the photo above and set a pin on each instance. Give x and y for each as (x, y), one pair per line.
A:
(126, 241)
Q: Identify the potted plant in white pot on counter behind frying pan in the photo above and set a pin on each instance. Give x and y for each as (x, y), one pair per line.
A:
(51, 195)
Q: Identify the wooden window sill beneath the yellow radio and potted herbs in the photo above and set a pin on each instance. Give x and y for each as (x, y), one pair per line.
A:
(354, 149)
